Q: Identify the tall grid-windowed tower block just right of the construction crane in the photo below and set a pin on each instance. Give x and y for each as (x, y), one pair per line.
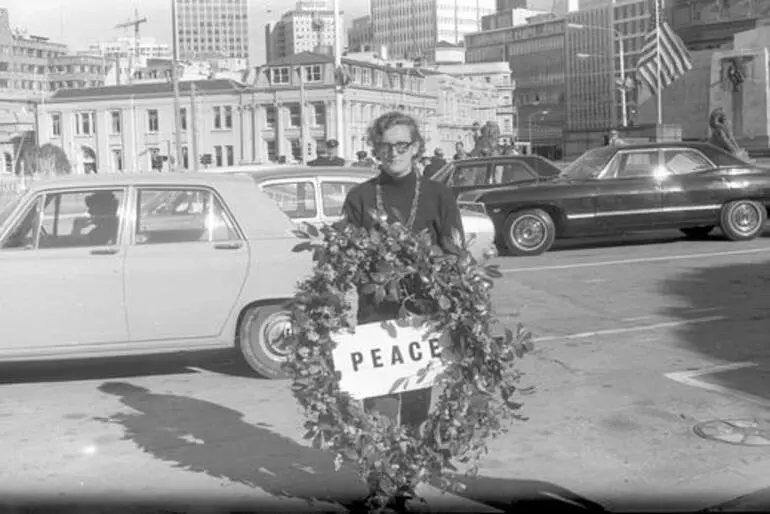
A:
(212, 28)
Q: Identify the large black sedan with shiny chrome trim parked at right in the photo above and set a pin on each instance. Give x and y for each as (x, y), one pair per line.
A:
(694, 187)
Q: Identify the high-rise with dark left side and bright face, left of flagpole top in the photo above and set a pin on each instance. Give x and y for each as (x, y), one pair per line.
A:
(300, 31)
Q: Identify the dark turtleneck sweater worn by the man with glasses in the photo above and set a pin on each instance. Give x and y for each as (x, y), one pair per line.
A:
(437, 209)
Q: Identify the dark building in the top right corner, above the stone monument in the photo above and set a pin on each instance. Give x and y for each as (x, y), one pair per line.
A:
(706, 24)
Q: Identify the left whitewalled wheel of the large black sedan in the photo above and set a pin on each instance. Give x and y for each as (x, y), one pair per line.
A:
(530, 232)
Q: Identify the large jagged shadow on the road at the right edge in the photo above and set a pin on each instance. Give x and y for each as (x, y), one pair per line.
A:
(740, 292)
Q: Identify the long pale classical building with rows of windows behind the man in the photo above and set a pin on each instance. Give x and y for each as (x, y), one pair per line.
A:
(120, 128)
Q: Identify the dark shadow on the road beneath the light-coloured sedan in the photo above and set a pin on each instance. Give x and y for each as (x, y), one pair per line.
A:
(225, 361)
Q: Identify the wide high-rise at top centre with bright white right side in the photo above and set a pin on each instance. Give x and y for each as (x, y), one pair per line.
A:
(413, 28)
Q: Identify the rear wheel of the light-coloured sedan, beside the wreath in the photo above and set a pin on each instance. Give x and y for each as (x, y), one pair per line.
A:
(263, 337)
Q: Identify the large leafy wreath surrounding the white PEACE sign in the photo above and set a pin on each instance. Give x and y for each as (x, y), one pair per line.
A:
(452, 293)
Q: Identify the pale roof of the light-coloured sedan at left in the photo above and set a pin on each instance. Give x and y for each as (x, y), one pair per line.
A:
(130, 179)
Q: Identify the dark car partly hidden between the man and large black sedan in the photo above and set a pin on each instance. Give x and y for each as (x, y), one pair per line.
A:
(497, 171)
